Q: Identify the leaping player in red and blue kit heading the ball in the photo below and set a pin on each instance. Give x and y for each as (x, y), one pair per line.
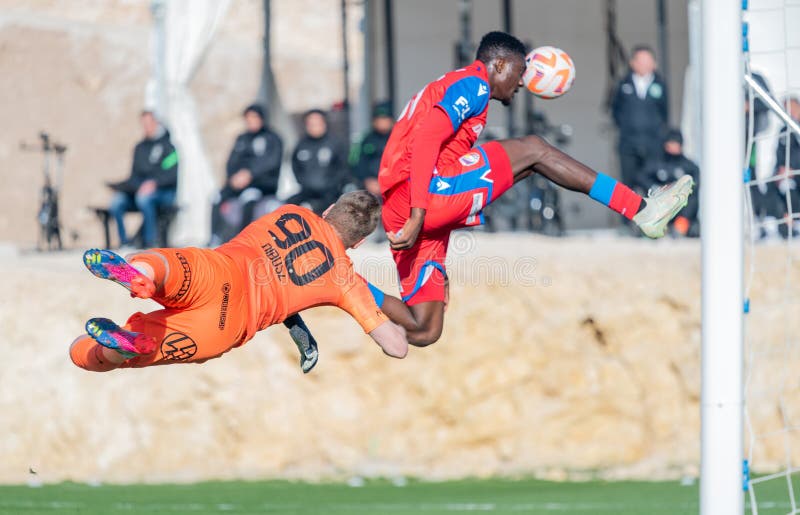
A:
(433, 181)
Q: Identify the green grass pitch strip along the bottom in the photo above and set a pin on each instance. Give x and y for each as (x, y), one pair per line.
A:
(375, 497)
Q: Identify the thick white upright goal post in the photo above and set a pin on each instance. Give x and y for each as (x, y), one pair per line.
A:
(721, 211)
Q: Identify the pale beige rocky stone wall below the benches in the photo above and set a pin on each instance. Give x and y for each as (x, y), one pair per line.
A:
(557, 356)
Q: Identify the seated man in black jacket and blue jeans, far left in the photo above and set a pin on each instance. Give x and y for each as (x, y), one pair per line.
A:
(153, 181)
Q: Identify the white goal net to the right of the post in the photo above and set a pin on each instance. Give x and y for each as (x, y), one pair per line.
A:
(772, 239)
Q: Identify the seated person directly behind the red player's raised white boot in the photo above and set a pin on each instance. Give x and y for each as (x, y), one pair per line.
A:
(670, 166)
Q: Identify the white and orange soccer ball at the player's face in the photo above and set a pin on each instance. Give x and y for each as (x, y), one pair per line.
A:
(549, 72)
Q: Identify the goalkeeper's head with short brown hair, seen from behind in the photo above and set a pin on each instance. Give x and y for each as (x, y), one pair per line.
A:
(354, 216)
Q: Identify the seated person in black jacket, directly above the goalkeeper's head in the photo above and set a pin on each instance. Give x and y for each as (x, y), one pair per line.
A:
(319, 164)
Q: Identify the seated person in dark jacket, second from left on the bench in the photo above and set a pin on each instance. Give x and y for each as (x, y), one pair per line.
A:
(253, 170)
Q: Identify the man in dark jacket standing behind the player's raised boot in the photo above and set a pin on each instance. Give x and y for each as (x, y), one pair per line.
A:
(641, 113)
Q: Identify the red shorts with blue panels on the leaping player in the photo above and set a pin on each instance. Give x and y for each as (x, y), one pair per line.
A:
(458, 194)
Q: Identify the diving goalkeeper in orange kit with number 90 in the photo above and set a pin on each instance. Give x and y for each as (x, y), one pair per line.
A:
(215, 300)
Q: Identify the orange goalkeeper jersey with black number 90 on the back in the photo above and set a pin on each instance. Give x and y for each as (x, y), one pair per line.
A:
(293, 260)
